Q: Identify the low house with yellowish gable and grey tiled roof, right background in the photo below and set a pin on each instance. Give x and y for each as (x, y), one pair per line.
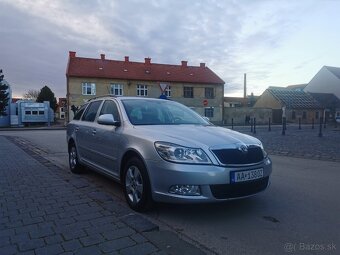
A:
(294, 104)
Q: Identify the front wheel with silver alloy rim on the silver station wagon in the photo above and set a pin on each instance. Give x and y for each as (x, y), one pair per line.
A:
(136, 185)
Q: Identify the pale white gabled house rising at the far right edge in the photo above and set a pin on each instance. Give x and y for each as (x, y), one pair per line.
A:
(327, 80)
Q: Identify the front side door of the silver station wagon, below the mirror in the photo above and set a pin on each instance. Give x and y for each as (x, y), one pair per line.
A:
(108, 138)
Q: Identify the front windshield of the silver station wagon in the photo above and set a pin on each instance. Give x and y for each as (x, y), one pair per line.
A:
(160, 112)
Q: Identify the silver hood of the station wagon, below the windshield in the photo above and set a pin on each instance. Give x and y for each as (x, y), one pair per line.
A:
(195, 135)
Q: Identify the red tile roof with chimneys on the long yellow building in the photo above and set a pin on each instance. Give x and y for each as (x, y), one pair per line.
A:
(128, 70)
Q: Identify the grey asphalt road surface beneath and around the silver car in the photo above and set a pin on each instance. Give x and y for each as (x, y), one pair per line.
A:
(298, 214)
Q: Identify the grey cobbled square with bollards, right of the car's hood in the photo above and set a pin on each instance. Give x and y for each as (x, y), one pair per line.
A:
(304, 143)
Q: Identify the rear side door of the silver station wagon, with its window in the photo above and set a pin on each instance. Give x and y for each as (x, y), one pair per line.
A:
(86, 133)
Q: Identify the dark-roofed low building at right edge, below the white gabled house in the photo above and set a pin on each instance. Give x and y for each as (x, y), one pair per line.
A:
(330, 103)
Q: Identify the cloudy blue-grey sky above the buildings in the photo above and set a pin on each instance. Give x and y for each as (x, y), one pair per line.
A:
(277, 43)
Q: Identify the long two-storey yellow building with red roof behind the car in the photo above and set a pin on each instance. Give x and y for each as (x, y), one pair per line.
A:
(197, 87)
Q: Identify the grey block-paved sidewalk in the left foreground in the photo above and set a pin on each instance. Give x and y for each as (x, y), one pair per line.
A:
(47, 211)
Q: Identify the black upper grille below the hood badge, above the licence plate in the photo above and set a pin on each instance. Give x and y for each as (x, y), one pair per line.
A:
(237, 157)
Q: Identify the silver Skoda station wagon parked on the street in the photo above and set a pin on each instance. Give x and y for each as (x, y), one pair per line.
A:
(163, 151)
